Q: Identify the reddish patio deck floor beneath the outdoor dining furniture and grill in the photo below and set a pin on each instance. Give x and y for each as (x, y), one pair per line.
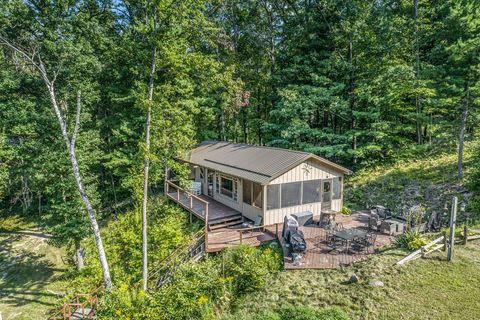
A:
(319, 255)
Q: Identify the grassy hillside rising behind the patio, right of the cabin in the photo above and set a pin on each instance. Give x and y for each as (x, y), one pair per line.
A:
(430, 181)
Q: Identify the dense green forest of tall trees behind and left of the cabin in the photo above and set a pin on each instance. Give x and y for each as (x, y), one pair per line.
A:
(98, 97)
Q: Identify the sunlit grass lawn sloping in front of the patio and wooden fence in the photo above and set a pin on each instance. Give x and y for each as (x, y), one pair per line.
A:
(428, 288)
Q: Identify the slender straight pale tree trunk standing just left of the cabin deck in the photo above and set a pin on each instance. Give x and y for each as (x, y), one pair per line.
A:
(146, 165)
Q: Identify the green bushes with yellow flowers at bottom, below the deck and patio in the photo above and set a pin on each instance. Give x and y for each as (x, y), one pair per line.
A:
(199, 289)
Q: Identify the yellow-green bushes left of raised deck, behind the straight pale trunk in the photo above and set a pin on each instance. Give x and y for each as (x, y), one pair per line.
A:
(168, 229)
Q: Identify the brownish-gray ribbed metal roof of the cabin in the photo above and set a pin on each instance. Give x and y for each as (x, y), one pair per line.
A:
(255, 163)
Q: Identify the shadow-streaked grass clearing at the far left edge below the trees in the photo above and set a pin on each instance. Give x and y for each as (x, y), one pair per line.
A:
(29, 267)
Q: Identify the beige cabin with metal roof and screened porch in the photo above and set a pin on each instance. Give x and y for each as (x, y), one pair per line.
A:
(264, 181)
